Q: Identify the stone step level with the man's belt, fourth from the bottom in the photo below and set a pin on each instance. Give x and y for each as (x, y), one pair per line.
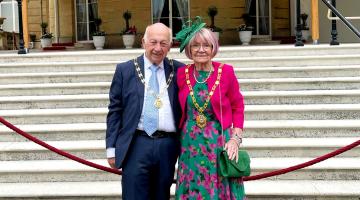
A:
(253, 129)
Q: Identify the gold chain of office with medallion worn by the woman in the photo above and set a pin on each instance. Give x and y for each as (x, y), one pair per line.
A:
(200, 118)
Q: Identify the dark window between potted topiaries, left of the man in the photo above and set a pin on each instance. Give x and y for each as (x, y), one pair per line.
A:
(85, 13)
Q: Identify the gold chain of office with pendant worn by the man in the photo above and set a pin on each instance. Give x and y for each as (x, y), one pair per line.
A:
(158, 103)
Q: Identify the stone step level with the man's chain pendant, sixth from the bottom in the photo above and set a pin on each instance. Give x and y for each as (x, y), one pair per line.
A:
(251, 98)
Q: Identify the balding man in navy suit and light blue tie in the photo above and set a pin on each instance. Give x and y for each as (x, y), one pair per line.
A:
(144, 112)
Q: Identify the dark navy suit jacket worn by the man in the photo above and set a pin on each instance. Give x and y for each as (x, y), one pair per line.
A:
(126, 103)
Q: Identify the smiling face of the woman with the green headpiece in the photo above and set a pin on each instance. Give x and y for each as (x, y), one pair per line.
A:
(201, 51)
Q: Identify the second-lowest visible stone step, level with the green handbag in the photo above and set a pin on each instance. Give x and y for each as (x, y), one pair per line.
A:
(68, 170)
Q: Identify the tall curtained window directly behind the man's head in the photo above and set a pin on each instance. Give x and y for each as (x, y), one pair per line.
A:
(173, 13)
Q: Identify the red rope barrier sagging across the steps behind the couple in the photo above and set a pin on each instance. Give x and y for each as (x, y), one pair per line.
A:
(115, 171)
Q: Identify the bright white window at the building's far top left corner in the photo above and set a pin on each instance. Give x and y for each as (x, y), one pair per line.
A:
(9, 10)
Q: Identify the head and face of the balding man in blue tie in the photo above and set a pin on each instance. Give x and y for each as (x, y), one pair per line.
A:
(157, 43)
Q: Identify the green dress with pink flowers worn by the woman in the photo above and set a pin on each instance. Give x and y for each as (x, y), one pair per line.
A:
(197, 176)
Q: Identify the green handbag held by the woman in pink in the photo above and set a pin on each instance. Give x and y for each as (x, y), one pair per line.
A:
(232, 169)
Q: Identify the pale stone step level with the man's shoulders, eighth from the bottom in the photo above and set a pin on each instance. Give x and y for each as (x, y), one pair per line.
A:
(63, 76)
